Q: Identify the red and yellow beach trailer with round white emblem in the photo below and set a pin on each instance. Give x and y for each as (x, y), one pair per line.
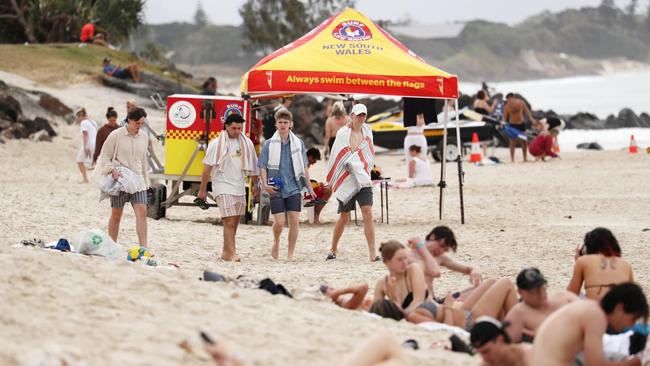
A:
(192, 121)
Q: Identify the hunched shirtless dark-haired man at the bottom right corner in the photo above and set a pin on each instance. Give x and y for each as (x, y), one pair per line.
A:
(579, 327)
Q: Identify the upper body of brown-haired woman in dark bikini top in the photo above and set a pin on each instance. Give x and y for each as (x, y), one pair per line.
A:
(403, 290)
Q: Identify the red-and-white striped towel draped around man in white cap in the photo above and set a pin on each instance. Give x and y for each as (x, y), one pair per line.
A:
(349, 171)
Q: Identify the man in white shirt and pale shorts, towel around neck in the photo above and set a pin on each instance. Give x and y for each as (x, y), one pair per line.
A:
(229, 158)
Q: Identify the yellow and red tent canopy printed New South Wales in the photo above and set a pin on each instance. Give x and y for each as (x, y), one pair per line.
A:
(348, 54)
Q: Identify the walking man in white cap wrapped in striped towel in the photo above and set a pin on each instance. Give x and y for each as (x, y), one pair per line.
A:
(351, 160)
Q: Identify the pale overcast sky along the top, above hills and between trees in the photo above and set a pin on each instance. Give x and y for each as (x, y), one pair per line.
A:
(420, 11)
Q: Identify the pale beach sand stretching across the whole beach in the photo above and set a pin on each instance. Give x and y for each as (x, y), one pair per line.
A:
(108, 313)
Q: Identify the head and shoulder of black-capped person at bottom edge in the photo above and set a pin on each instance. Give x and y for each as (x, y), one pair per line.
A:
(490, 339)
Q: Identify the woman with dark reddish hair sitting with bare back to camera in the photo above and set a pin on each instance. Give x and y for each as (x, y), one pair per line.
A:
(598, 264)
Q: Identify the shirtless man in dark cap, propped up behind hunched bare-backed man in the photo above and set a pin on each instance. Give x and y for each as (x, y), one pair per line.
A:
(536, 305)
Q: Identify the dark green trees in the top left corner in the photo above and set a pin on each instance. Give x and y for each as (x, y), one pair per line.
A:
(38, 21)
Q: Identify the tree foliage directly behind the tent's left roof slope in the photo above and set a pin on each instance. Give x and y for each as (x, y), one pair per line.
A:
(271, 24)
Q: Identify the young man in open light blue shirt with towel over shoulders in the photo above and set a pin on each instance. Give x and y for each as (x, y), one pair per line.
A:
(283, 169)
